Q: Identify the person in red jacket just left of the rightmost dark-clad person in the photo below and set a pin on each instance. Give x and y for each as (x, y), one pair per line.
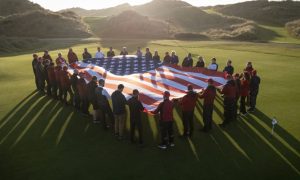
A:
(245, 81)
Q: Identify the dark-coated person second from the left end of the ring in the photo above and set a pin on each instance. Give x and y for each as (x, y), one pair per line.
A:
(40, 74)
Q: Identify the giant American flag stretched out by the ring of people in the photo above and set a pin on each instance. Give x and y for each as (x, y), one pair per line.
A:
(150, 77)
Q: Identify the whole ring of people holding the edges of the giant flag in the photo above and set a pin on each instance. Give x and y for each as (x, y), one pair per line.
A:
(55, 81)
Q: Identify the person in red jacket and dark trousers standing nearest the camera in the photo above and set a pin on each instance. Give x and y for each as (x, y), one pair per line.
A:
(165, 109)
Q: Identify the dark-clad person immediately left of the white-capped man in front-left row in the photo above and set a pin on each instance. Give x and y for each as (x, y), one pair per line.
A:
(91, 86)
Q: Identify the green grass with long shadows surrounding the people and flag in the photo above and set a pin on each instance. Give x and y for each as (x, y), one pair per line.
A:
(42, 139)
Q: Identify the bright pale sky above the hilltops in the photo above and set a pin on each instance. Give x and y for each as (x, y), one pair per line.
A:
(56, 5)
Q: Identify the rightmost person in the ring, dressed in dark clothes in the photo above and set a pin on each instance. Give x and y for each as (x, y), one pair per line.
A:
(254, 89)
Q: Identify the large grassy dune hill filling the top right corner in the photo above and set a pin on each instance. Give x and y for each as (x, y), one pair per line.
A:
(268, 13)
